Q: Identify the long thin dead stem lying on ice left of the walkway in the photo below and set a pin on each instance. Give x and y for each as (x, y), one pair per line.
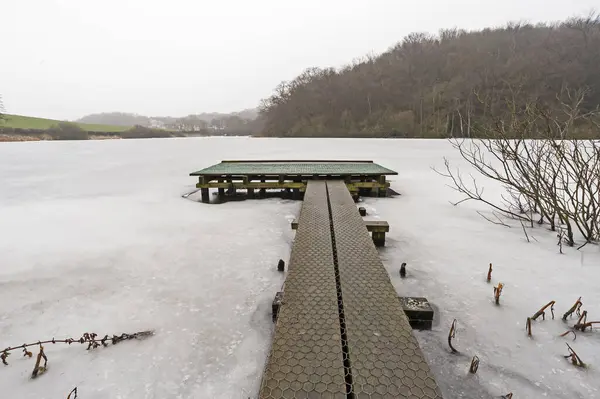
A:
(91, 339)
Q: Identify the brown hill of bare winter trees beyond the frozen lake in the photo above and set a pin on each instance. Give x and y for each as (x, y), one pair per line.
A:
(437, 86)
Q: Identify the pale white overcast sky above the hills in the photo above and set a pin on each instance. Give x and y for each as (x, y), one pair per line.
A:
(64, 59)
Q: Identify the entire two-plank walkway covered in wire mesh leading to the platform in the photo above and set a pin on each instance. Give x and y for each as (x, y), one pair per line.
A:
(341, 331)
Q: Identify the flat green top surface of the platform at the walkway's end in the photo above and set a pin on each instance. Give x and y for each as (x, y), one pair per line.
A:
(295, 168)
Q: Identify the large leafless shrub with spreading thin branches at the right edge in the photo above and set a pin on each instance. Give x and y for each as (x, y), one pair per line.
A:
(548, 175)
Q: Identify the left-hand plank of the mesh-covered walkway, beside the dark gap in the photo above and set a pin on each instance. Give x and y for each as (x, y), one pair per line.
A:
(306, 354)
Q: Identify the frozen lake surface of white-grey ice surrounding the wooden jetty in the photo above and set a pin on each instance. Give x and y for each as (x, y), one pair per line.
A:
(95, 237)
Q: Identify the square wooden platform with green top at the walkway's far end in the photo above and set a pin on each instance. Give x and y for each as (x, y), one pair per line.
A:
(255, 177)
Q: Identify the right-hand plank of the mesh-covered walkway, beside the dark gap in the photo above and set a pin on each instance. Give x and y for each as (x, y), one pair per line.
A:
(384, 355)
